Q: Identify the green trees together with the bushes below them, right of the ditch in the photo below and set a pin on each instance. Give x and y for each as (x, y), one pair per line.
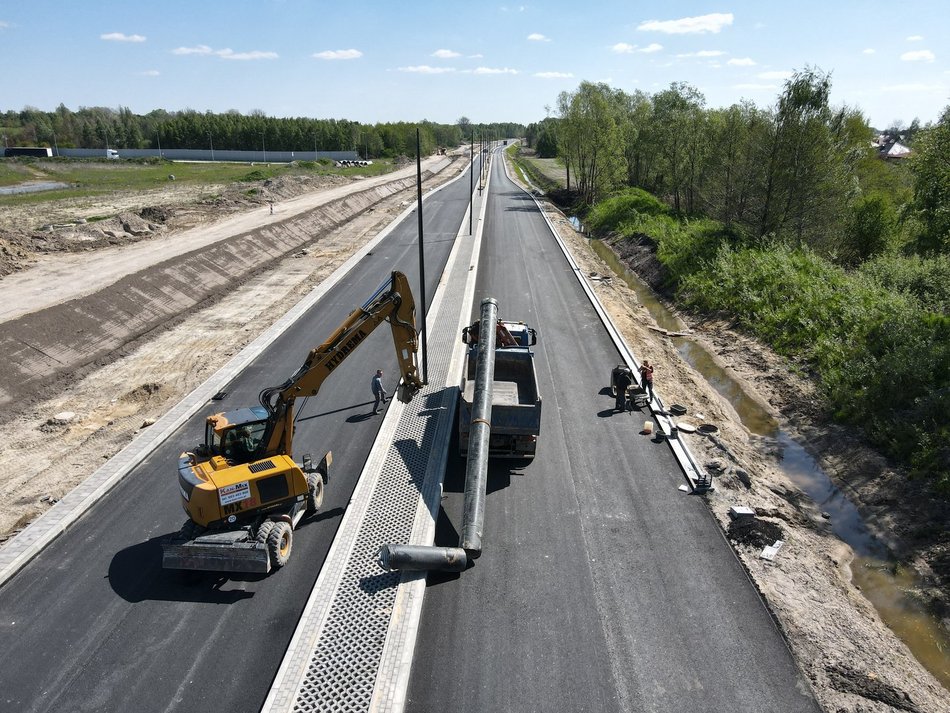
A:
(786, 222)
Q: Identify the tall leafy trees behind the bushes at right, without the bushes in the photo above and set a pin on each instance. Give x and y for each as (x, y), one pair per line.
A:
(801, 169)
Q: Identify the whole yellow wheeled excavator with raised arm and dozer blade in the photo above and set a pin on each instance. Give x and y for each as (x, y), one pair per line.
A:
(241, 489)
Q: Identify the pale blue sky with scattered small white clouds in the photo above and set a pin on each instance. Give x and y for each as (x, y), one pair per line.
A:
(406, 61)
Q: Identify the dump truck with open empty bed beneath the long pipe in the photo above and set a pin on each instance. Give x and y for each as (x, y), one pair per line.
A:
(516, 402)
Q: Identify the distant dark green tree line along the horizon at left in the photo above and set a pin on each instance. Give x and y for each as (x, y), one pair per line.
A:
(102, 127)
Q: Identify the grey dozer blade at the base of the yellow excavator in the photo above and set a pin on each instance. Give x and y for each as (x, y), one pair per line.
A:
(216, 553)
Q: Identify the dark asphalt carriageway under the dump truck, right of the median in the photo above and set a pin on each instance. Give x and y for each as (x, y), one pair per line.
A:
(601, 586)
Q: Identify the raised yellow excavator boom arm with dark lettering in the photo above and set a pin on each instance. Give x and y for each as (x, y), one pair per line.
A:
(392, 302)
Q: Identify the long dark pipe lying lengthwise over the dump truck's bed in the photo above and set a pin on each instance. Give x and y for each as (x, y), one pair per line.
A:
(476, 468)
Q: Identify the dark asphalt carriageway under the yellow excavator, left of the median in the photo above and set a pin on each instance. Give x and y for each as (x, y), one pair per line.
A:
(95, 624)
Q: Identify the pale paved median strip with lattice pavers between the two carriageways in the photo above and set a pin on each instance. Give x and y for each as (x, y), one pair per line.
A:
(352, 650)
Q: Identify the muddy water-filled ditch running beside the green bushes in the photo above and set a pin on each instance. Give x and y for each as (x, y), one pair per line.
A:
(882, 580)
